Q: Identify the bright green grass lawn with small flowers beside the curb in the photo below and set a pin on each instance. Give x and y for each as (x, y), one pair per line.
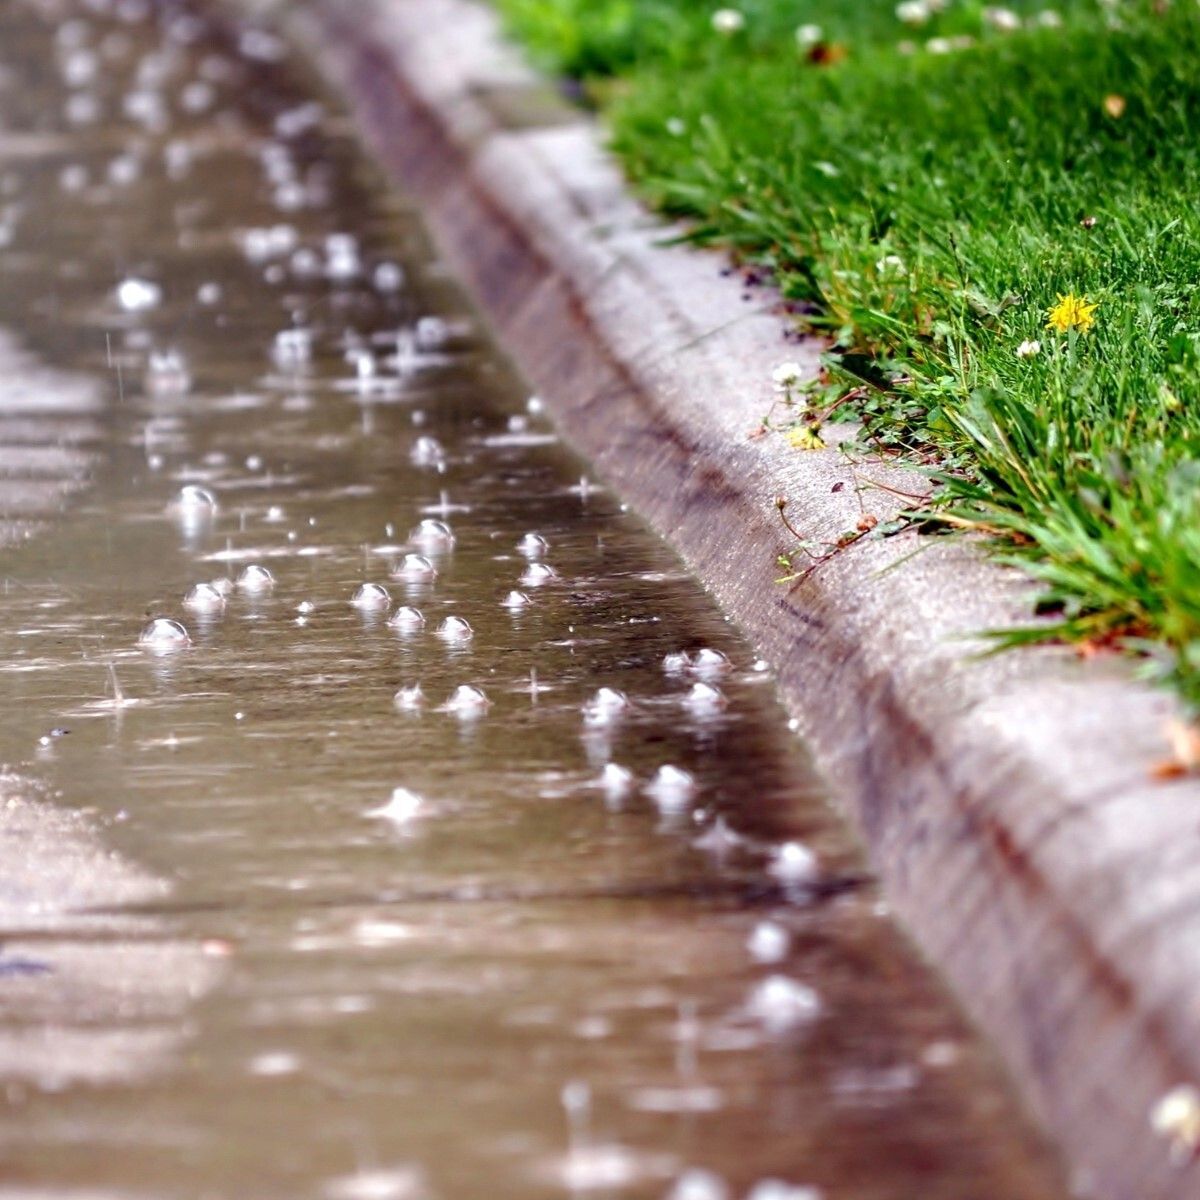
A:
(931, 207)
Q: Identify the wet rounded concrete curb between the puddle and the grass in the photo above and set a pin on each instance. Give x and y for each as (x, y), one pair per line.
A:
(1006, 803)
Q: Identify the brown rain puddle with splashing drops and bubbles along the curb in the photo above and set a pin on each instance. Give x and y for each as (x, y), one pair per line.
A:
(495, 871)
